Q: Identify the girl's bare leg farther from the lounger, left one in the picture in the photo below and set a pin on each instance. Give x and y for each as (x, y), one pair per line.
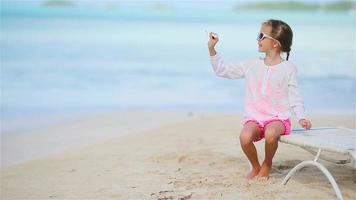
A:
(249, 133)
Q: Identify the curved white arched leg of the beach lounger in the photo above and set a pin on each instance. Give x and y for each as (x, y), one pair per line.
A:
(322, 168)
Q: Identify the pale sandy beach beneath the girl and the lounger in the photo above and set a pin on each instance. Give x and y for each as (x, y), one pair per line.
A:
(144, 155)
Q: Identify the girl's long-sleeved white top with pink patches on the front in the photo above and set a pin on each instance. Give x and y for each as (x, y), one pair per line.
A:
(271, 91)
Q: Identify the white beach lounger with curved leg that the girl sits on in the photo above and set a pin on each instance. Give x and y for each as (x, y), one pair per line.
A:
(327, 139)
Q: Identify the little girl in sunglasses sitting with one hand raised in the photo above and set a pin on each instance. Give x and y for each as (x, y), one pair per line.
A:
(271, 93)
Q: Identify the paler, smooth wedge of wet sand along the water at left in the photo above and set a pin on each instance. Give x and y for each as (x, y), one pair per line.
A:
(81, 131)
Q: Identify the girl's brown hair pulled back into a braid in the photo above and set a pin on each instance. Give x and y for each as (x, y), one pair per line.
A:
(282, 32)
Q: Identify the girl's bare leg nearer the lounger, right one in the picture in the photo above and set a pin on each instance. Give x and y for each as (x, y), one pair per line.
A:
(272, 133)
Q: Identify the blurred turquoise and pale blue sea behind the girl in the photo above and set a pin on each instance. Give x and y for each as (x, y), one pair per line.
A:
(86, 59)
